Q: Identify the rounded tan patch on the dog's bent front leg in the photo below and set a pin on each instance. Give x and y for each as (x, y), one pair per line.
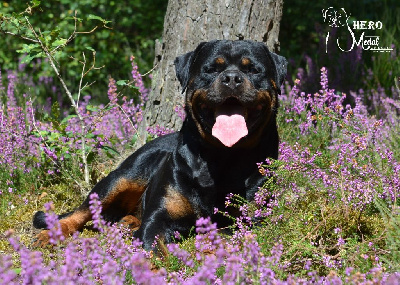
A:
(177, 205)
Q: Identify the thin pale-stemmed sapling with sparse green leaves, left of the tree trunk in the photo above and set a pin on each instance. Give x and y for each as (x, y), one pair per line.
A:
(50, 45)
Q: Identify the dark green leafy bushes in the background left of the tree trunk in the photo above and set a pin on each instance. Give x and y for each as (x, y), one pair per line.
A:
(123, 28)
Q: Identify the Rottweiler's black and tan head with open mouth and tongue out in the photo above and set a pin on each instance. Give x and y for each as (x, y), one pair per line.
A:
(231, 89)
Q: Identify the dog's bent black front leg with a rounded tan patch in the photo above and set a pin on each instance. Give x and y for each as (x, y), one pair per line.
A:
(165, 208)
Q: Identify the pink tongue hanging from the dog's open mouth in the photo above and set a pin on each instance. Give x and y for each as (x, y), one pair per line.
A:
(229, 129)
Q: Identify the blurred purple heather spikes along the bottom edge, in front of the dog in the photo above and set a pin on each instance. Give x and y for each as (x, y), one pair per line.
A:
(113, 258)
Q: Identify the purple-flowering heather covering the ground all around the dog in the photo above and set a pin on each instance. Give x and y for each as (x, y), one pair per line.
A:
(328, 212)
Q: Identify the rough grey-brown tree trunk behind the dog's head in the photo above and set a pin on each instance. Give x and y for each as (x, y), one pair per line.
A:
(189, 22)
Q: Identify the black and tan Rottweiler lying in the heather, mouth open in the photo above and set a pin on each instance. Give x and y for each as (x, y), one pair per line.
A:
(231, 104)
